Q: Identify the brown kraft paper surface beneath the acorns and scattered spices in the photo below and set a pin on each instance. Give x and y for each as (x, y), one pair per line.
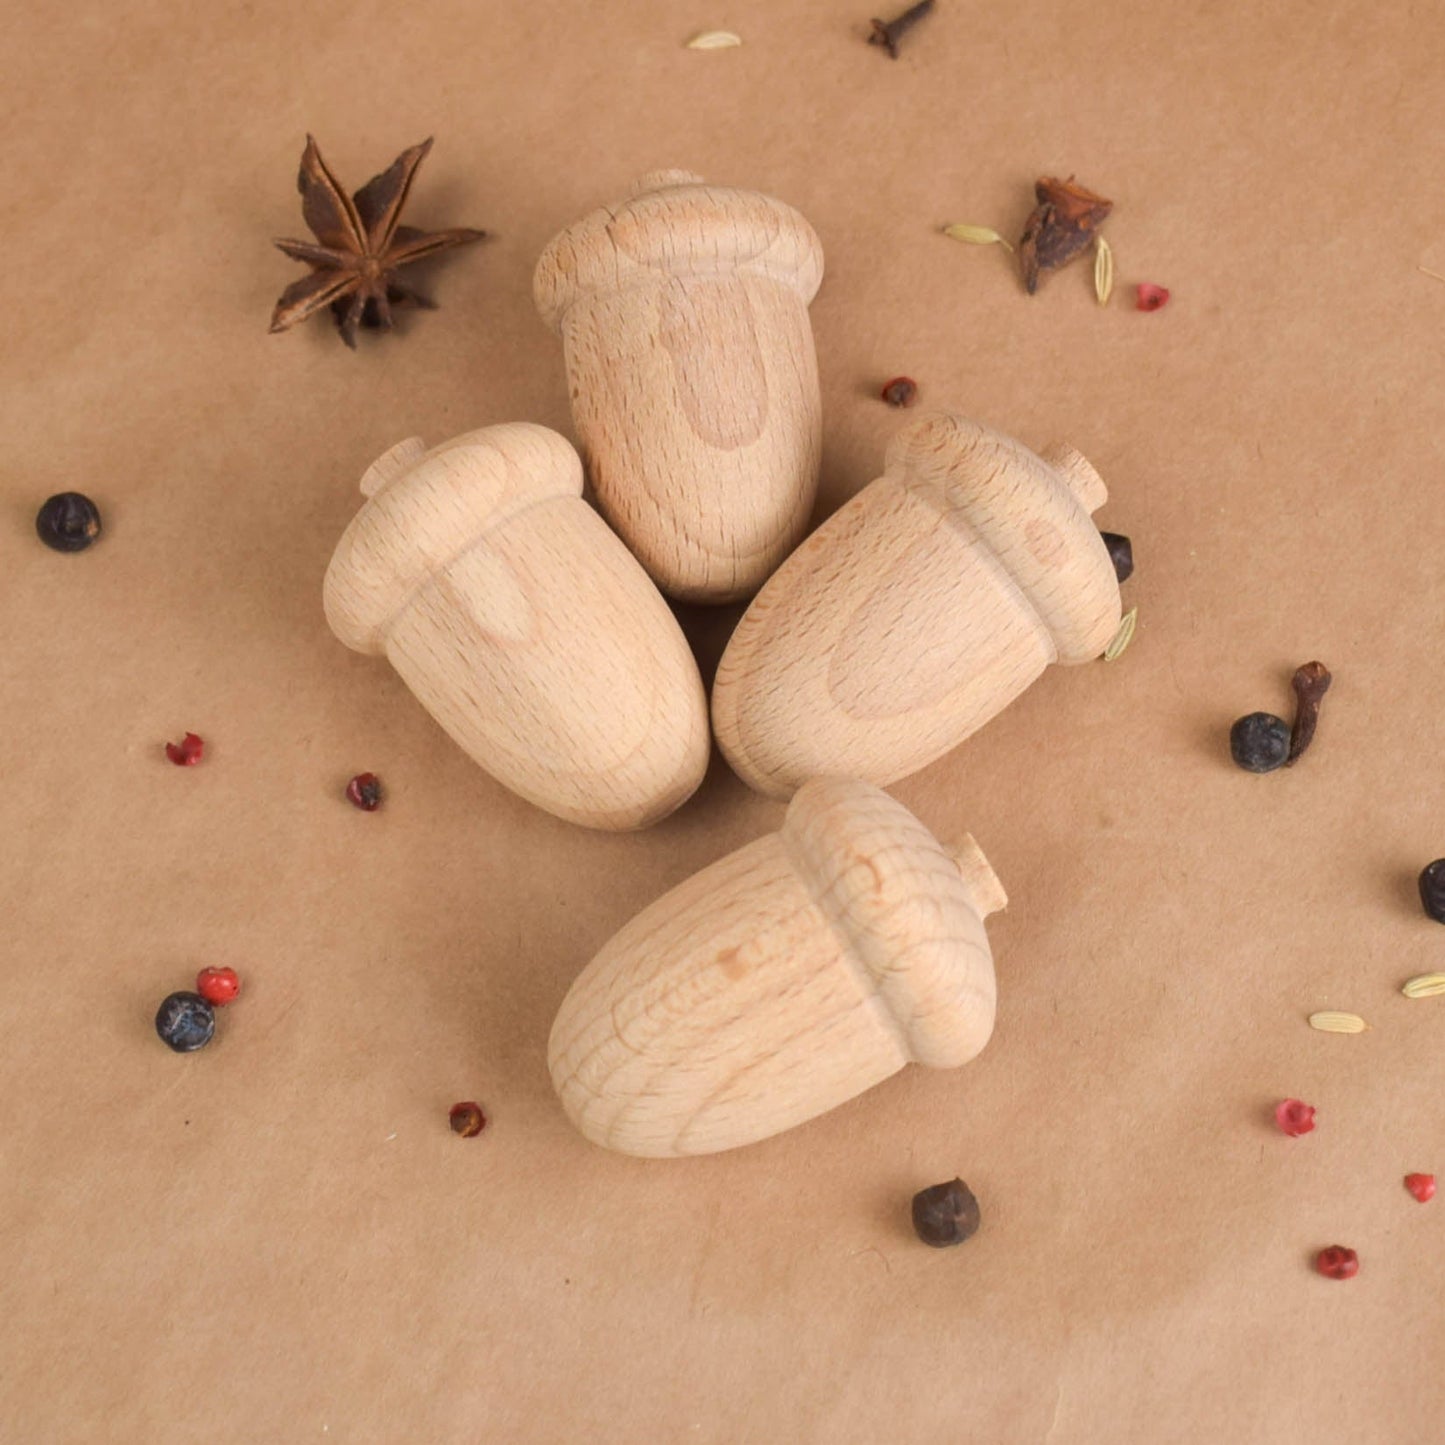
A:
(278, 1239)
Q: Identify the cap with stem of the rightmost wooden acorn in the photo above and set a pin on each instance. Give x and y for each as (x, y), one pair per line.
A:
(967, 470)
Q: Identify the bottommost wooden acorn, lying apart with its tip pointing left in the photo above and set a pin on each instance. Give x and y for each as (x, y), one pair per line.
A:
(781, 982)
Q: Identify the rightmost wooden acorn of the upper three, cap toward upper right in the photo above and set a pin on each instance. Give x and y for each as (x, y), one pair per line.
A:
(918, 612)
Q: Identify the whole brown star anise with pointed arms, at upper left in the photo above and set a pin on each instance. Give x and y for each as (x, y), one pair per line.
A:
(362, 246)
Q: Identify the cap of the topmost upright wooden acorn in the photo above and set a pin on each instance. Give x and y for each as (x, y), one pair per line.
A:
(673, 225)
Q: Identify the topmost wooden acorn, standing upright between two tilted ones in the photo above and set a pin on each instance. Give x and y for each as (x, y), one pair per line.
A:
(693, 374)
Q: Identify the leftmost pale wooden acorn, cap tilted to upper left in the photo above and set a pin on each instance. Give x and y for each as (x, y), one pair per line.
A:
(524, 626)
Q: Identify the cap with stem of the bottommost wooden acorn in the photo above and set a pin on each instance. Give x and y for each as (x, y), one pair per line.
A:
(910, 913)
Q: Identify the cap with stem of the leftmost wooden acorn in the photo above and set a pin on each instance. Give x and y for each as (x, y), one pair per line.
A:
(428, 508)
